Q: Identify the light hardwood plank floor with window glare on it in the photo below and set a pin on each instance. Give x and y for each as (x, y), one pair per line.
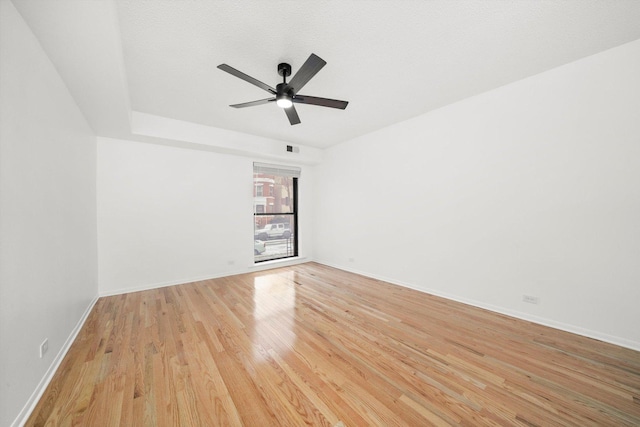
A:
(312, 345)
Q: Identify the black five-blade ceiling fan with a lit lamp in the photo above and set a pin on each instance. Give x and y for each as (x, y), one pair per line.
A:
(286, 94)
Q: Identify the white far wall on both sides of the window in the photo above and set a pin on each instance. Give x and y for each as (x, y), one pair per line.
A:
(168, 215)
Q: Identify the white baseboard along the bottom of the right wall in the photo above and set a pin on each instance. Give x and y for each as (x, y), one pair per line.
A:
(611, 339)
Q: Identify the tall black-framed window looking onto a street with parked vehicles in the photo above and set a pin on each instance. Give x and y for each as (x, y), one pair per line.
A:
(275, 211)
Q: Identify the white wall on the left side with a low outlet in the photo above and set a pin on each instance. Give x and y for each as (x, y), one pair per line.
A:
(48, 259)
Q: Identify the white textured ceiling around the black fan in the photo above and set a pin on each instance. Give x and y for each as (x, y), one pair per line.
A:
(392, 60)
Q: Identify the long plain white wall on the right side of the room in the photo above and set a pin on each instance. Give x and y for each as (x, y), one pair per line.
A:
(533, 188)
